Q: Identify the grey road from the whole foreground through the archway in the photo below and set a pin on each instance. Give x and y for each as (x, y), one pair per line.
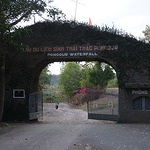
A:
(69, 129)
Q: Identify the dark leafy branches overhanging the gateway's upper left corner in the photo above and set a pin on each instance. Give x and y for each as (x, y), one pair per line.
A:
(11, 13)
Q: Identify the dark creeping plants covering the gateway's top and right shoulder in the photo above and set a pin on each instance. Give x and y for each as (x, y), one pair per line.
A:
(128, 55)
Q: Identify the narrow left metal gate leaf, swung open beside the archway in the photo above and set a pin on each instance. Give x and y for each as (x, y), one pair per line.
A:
(35, 105)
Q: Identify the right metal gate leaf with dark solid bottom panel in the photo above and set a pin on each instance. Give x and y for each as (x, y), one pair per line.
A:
(104, 108)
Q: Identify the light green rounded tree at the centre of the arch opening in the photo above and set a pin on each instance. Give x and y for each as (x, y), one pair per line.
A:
(70, 77)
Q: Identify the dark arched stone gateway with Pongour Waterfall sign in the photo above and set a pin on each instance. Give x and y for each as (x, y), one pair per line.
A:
(51, 42)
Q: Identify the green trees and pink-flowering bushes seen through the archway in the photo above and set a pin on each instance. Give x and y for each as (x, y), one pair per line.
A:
(75, 76)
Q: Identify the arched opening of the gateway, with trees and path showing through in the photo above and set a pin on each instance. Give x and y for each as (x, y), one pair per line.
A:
(91, 84)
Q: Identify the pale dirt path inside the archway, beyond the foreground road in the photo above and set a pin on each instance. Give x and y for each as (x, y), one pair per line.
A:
(65, 113)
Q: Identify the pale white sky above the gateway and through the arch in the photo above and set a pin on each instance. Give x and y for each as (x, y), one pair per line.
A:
(131, 16)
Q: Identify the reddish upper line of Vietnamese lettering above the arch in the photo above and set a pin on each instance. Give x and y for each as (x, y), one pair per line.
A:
(74, 48)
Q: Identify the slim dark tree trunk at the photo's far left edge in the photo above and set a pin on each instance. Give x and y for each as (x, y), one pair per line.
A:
(2, 85)
